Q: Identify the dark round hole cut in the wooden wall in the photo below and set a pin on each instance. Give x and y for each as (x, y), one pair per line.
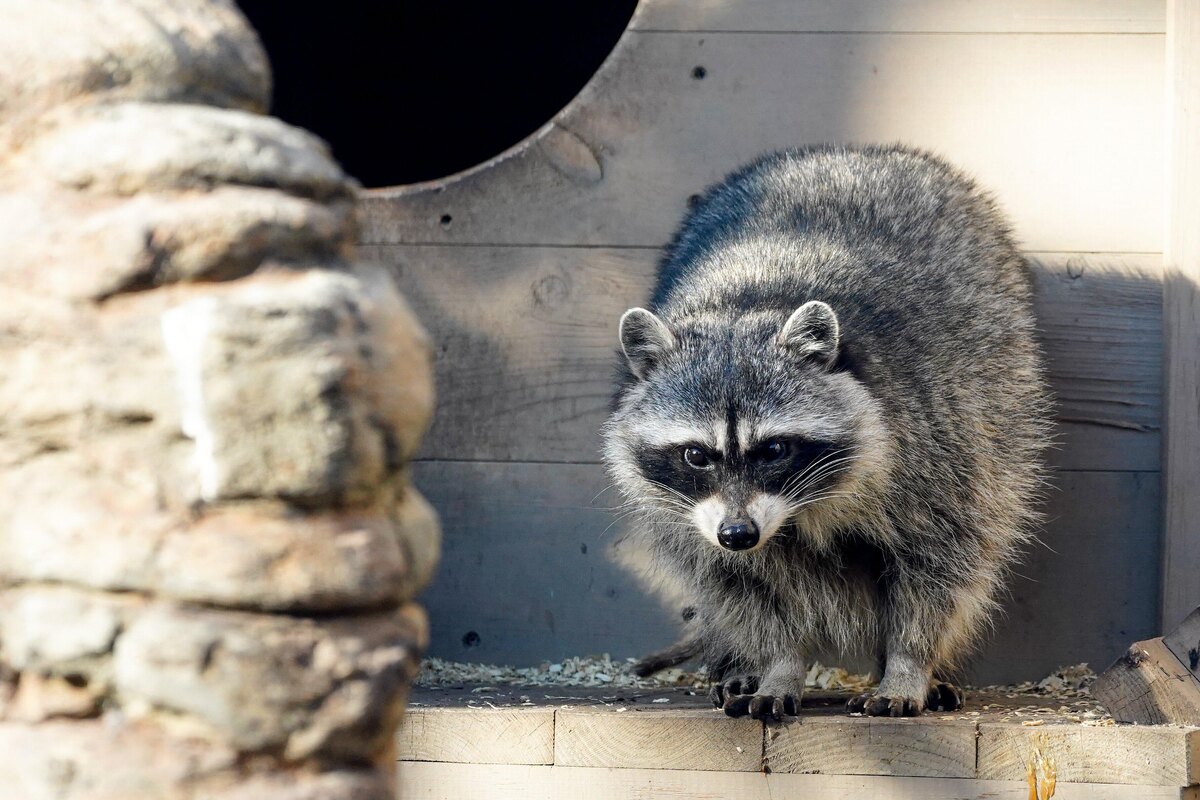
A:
(413, 92)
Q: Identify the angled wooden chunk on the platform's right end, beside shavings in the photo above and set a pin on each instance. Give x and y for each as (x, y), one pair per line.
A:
(1150, 685)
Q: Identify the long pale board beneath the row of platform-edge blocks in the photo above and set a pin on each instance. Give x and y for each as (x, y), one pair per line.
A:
(428, 781)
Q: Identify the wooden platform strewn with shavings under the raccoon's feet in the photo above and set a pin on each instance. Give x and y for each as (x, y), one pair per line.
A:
(542, 742)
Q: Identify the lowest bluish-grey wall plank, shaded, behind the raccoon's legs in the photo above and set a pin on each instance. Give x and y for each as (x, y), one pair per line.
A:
(525, 568)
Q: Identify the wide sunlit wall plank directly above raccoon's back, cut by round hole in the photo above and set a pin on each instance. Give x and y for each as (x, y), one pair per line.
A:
(617, 166)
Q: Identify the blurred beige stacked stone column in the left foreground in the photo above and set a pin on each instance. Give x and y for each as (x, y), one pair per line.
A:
(208, 543)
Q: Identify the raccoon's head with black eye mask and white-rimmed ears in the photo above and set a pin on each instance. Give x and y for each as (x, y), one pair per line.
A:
(741, 429)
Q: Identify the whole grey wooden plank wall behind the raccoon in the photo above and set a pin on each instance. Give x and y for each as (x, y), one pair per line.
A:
(521, 268)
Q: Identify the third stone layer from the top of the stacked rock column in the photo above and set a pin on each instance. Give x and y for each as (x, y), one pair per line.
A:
(83, 248)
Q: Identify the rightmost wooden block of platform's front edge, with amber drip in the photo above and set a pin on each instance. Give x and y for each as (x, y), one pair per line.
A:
(1138, 755)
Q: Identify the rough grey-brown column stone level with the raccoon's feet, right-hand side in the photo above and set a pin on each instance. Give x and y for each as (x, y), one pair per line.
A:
(280, 684)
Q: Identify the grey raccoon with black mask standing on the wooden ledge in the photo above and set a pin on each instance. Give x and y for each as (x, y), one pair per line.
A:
(830, 422)
